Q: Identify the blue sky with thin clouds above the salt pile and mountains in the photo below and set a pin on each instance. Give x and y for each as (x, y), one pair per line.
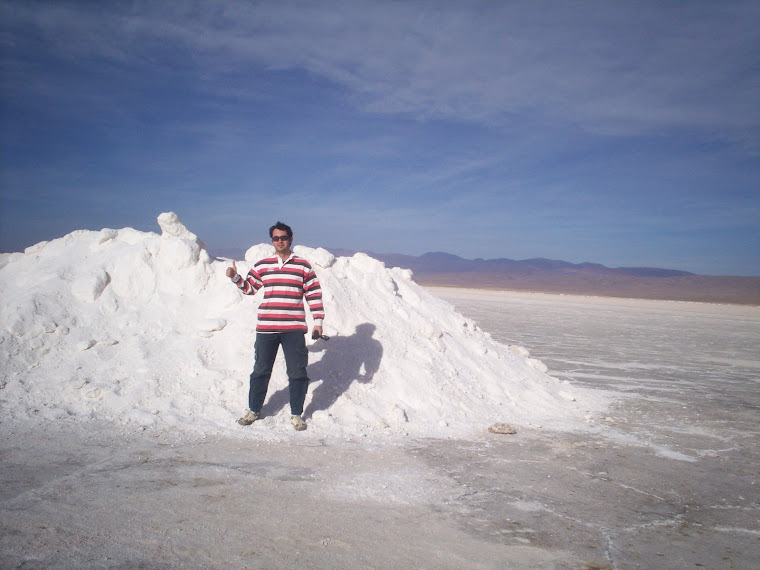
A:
(622, 133)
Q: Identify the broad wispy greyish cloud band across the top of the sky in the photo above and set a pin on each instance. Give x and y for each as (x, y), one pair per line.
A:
(615, 68)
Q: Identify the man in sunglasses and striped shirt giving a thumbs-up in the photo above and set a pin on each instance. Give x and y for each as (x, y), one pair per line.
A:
(287, 280)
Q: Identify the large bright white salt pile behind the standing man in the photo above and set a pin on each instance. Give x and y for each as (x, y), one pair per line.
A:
(144, 329)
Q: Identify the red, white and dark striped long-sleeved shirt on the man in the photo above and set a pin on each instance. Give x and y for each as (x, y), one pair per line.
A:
(285, 284)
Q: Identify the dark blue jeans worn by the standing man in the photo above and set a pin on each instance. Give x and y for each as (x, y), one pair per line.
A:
(296, 359)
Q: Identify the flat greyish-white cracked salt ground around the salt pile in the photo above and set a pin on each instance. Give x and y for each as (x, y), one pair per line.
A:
(668, 480)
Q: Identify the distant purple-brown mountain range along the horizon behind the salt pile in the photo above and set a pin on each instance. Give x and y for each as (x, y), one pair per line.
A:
(554, 276)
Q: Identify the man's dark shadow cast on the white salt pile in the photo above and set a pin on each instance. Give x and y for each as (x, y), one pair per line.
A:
(346, 360)
